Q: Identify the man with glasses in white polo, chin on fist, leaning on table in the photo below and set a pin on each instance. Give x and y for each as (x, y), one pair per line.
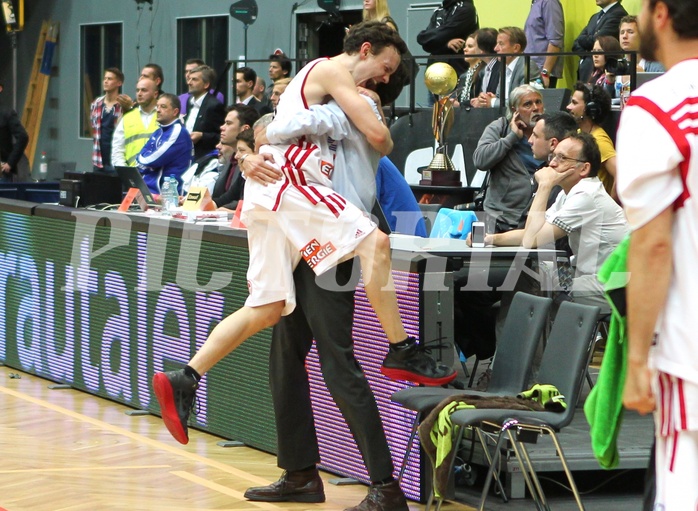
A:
(583, 211)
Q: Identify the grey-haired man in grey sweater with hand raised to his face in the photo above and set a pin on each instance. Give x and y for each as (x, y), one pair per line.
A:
(504, 150)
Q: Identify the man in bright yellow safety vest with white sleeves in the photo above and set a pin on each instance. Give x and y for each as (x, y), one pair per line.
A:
(136, 126)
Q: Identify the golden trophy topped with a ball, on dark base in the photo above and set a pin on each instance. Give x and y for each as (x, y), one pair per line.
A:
(441, 79)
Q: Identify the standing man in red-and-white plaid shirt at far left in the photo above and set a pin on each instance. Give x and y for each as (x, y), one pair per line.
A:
(105, 113)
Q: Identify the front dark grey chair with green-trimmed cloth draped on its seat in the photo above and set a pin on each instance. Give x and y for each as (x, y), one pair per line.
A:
(563, 365)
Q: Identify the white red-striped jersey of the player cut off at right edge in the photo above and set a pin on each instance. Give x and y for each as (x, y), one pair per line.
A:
(657, 147)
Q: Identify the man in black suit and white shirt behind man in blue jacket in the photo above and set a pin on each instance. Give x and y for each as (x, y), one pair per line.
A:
(205, 113)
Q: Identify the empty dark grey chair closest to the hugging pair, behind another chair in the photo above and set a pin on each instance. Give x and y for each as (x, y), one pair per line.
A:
(522, 331)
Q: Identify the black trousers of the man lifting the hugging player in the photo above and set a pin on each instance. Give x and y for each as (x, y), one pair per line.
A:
(327, 316)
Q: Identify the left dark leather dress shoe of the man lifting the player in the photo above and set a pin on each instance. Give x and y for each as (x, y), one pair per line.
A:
(293, 486)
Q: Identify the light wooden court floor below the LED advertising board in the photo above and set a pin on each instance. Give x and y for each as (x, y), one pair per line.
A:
(66, 450)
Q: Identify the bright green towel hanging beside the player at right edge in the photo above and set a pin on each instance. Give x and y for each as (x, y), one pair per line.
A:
(604, 406)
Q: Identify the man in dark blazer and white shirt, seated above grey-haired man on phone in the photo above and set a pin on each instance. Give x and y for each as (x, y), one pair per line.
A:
(512, 41)
